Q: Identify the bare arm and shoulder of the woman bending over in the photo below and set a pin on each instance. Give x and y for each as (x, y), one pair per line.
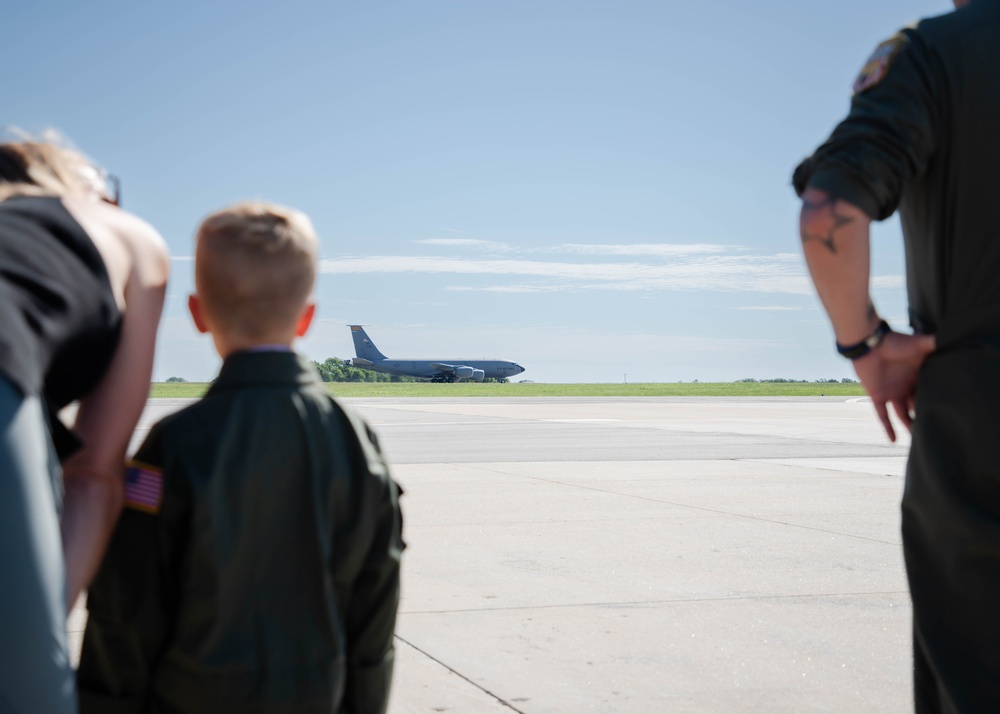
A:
(93, 477)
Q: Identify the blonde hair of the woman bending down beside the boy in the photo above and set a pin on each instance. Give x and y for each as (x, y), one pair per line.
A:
(44, 167)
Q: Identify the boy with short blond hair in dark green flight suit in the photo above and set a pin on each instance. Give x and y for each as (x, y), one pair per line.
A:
(256, 565)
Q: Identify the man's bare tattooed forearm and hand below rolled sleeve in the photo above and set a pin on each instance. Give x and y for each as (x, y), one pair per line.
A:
(836, 244)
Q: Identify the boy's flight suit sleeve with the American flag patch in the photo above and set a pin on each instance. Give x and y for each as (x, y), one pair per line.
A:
(130, 602)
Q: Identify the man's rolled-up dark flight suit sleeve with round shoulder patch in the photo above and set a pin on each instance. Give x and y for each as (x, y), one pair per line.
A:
(889, 135)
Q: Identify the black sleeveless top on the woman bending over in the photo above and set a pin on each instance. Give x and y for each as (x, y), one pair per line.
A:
(59, 322)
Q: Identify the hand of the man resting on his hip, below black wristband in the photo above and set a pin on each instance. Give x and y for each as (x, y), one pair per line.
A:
(889, 375)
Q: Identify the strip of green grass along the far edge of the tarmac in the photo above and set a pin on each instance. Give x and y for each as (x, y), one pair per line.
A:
(176, 390)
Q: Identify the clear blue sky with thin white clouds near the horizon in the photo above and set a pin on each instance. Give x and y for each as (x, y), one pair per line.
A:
(597, 190)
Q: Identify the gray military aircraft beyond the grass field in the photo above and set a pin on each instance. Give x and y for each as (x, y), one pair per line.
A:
(477, 370)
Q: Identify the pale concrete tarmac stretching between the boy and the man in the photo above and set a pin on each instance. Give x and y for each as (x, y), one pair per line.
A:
(626, 555)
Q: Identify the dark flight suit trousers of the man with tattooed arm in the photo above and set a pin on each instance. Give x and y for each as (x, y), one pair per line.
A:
(951, 533)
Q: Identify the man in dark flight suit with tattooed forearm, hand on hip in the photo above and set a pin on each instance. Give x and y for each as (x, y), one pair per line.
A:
(923, 136)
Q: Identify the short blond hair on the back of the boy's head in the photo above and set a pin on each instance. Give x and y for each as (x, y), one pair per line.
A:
(255, 267)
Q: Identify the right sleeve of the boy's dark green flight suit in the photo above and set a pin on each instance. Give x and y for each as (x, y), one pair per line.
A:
(370, 619)
